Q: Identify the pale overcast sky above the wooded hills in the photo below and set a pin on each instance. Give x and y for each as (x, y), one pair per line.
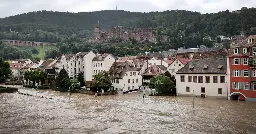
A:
(13, 7)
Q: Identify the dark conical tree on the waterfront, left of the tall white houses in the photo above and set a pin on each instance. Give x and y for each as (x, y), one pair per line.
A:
(62, 81)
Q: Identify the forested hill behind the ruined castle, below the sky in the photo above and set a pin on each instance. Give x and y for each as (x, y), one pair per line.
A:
(179, 25)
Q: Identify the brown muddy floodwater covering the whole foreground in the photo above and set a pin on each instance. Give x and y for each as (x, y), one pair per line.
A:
(122, 114)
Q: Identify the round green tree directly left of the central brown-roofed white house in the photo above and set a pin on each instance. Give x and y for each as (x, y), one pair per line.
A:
(101, 81)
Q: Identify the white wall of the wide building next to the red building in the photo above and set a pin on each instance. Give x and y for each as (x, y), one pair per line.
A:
(211, 89)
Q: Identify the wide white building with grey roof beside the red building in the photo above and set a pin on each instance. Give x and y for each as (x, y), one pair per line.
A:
(204, 77)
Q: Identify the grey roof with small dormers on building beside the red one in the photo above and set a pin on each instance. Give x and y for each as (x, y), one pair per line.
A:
(205, 66)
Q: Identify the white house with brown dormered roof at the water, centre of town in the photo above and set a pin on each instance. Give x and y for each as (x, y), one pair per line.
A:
(125, 76)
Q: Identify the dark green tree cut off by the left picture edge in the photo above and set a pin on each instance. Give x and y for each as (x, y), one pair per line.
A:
(5, 71)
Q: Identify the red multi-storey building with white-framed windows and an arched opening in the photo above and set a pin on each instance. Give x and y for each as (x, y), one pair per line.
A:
(242, 69)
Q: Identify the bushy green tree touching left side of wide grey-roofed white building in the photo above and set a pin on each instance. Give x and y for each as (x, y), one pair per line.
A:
(162, 84)
